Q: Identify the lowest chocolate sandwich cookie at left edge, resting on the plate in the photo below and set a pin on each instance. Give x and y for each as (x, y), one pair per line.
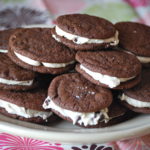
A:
(26, 106)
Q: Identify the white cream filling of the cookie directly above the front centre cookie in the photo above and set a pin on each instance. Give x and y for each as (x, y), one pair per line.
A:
(105, 79)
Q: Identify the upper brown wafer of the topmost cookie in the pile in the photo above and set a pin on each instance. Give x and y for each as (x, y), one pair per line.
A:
(86, 26)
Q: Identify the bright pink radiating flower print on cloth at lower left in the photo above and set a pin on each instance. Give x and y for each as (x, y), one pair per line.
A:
(10, 142)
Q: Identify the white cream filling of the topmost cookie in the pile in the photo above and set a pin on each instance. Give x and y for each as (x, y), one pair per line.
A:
(82, 40)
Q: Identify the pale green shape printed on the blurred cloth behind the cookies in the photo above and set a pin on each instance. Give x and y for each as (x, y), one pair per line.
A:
(112, 11)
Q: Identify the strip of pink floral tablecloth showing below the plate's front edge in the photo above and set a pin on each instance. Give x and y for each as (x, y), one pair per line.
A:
(10, 142)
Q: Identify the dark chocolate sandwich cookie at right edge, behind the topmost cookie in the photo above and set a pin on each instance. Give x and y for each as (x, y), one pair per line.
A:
(135, 38)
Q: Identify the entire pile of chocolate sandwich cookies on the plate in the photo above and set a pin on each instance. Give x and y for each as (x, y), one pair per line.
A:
(85, 70)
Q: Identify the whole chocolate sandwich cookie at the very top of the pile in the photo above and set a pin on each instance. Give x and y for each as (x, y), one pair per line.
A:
(85, 32)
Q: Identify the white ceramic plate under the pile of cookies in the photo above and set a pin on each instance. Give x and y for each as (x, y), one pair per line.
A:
(65, 132)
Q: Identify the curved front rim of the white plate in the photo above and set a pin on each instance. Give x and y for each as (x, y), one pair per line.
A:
(74, 137)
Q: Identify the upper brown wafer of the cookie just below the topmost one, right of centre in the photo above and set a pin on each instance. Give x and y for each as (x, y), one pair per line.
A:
(112, 63)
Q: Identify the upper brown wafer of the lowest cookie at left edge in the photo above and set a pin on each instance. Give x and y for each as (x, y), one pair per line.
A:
(29, 100)
